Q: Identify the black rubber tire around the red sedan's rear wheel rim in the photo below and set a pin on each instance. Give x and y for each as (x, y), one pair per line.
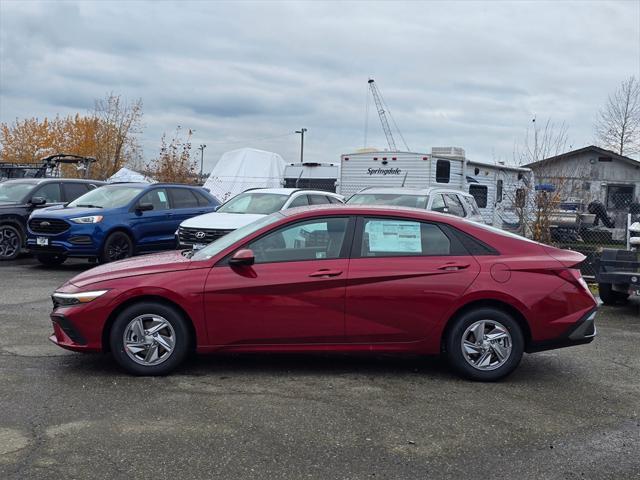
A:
(454, 349)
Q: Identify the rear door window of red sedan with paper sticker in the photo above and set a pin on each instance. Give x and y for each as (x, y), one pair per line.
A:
(395, 237)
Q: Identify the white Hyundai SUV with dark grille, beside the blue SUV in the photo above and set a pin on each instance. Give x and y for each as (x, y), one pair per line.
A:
(243, 209)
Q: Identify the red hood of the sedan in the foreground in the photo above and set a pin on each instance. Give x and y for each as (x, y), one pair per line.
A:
(130, 267)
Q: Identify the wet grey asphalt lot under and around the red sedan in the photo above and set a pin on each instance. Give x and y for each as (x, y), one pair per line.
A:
(569, 414)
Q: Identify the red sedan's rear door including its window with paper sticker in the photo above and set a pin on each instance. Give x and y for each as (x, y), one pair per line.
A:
(408, 276)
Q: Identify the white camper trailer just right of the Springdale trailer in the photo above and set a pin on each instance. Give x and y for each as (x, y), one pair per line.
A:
(499, 190)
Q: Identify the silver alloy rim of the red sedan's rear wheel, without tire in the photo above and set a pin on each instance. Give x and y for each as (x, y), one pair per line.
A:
(486, 345)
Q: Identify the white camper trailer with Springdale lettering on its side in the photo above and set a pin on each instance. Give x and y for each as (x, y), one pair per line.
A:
(395, 169)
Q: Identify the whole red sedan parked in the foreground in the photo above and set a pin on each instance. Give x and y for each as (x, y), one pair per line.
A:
(342, 279)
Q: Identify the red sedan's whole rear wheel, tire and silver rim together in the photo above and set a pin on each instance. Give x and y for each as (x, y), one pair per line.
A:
(485, 344)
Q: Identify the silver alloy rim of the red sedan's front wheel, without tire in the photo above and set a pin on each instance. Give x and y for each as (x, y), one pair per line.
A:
(149, 339)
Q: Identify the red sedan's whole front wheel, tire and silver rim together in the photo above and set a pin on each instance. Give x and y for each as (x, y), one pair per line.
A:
(149, 339)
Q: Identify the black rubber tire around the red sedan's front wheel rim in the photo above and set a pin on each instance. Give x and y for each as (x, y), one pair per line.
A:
(181, 344)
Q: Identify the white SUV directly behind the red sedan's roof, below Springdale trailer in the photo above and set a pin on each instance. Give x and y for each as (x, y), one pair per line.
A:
(436, 199)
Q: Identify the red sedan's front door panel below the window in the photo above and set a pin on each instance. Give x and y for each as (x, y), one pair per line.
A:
(277, 303)
